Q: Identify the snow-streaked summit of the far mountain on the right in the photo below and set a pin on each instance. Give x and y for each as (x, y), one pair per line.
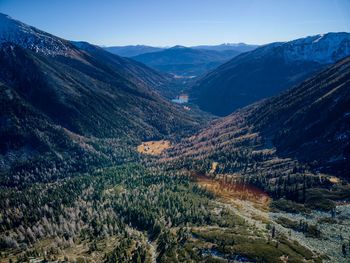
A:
(323, 48)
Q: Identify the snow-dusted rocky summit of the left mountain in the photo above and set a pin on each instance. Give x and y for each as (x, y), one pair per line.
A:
(28, 37)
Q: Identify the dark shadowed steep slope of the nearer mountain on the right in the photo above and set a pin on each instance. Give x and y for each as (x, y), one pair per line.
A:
(311, 122)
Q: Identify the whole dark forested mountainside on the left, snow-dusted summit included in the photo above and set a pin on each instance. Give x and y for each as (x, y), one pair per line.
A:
(60, 99)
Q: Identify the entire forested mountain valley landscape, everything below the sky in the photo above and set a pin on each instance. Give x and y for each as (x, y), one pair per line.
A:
(118, 154)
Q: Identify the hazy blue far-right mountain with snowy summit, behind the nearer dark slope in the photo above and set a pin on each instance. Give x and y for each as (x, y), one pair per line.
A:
(266, 71)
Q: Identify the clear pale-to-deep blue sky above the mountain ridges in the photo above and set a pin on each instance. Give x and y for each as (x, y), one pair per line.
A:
(185, 22)
